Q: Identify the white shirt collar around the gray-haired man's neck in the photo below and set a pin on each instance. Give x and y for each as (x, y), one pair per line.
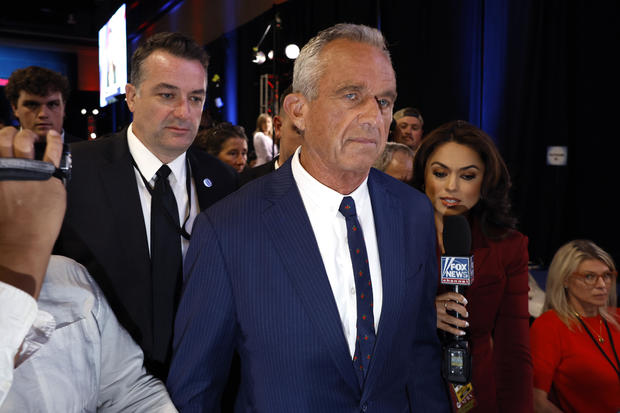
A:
(321, 196)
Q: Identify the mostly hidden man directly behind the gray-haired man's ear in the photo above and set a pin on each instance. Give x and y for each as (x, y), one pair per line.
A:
(289, 137)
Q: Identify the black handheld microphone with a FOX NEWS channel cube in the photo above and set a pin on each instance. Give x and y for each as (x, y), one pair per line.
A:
(457, 270)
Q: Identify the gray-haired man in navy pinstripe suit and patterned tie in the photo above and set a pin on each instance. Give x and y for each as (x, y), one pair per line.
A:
(269, 272)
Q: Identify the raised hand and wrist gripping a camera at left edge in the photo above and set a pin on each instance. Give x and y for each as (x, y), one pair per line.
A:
(31, 212)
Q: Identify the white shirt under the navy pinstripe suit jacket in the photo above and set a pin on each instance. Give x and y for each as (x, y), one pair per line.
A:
(330, 231)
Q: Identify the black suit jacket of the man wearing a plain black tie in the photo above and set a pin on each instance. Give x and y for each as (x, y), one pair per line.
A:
(104, 228)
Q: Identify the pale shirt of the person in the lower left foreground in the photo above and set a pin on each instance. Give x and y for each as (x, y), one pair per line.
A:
(74, 356)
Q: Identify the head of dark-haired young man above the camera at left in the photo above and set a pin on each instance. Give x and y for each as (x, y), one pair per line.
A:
(38, 97)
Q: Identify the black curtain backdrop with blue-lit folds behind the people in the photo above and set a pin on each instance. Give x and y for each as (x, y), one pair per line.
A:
(531, 73)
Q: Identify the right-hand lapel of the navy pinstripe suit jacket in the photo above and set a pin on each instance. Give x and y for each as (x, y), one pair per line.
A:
(388, 216)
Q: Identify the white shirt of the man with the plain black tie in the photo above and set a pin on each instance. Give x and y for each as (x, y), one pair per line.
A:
(148, 165)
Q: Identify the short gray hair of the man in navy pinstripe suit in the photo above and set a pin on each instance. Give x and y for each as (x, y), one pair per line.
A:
(309, 67)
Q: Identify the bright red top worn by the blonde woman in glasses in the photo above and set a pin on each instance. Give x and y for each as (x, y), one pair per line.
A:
(583, 380)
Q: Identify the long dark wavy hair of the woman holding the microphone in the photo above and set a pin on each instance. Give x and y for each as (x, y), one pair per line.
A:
(493, 210)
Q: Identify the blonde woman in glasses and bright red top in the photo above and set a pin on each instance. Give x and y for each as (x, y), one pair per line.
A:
(576, 341)
